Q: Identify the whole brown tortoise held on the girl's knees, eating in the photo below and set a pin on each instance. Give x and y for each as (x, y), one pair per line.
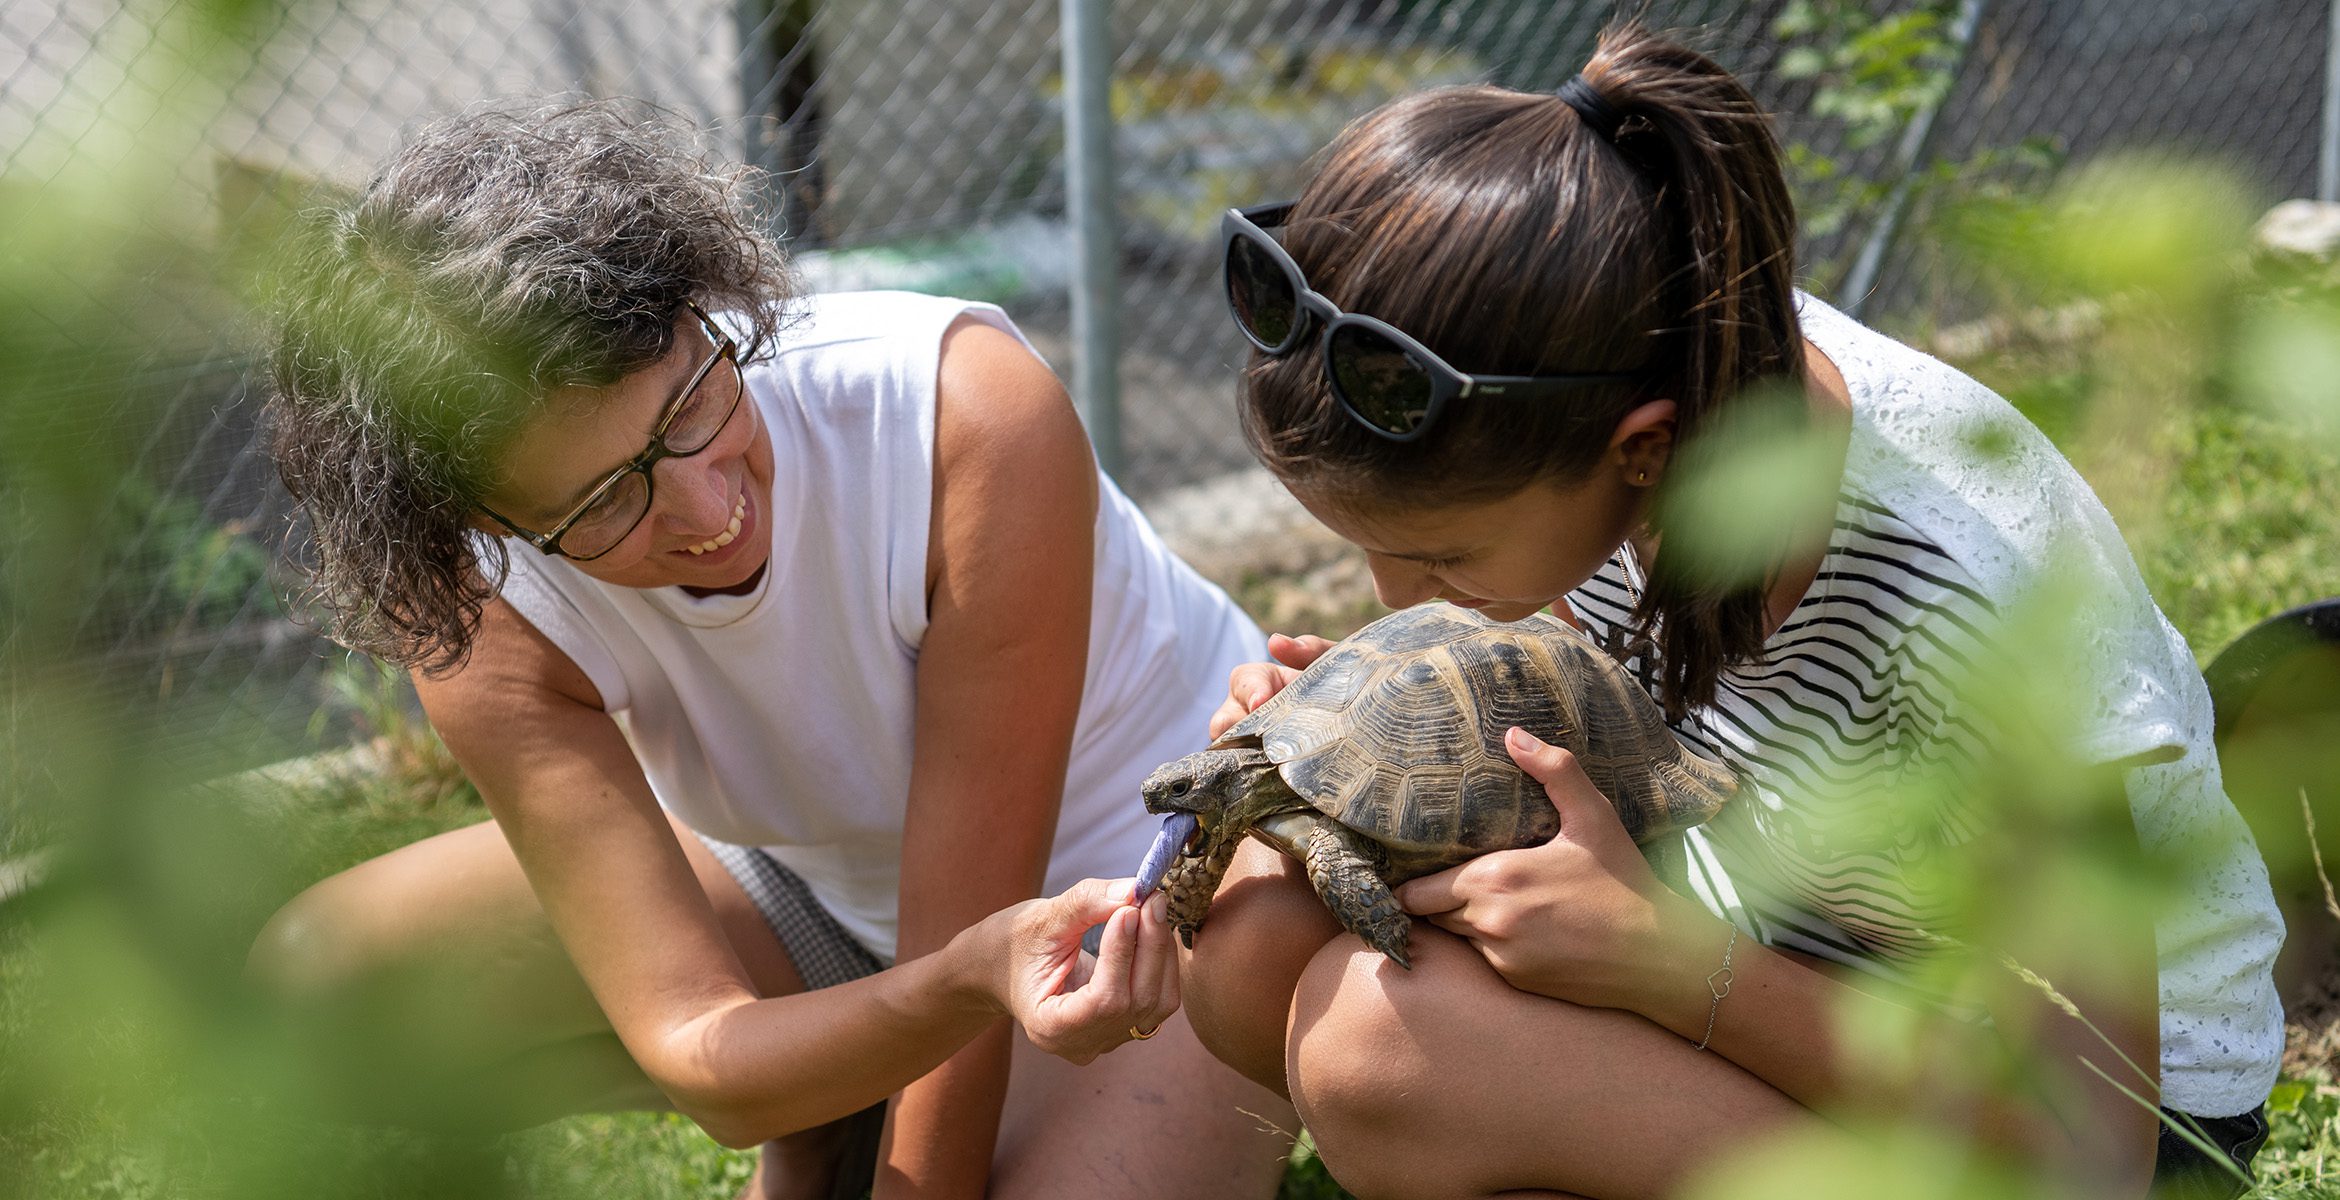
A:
(1386, 761)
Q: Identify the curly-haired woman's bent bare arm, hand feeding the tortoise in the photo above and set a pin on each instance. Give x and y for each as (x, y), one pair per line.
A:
(570, 796)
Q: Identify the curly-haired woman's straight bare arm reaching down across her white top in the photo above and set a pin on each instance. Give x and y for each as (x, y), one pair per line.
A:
(1000, 673)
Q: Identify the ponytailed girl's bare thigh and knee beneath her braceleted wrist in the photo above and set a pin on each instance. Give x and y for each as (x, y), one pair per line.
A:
(1450, 1082)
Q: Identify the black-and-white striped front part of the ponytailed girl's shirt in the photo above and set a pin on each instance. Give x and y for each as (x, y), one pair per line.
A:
(1852, 703)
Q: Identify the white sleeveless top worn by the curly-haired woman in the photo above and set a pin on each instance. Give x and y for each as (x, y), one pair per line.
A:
(785, 719)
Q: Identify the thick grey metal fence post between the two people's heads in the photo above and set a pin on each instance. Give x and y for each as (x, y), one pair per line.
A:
(1096, 230)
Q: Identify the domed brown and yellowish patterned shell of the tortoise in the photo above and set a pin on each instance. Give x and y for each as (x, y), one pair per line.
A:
(1398, 733)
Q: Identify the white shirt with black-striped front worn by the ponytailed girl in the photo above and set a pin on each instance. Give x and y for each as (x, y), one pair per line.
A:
(1857, 747)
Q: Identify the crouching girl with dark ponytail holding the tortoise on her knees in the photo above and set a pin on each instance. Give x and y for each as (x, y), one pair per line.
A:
(1494, 338)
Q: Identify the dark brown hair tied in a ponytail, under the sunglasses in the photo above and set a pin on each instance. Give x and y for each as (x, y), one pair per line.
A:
(1665, 251)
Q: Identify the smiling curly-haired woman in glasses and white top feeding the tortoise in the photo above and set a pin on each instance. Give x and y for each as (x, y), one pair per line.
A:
(787, 640)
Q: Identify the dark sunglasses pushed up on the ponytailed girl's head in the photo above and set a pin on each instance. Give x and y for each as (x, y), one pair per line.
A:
(1379, 375)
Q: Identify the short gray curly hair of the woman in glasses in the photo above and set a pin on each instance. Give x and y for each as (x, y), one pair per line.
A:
(500, 256)
